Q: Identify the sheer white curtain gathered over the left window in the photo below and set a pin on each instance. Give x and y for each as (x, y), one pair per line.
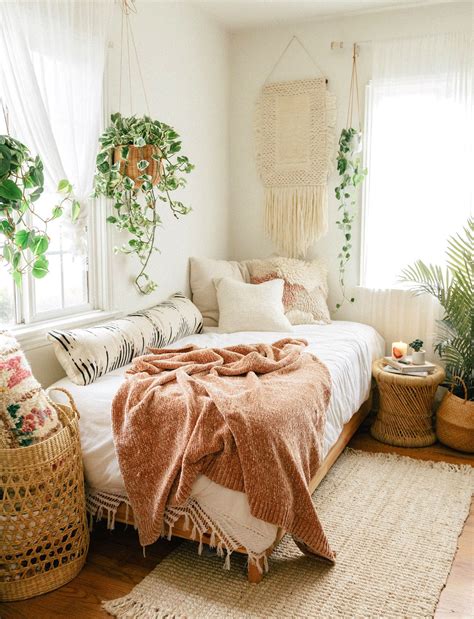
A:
(51, 73)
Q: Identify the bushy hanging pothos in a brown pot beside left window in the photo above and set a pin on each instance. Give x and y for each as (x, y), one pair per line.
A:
(138, 165)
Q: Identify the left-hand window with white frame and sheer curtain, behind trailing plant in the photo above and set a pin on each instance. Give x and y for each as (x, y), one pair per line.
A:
(51, 78)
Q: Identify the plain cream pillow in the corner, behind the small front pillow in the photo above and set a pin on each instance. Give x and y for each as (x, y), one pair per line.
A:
(202, 273)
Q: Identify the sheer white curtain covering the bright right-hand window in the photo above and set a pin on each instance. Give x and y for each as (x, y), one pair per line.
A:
(419, 189)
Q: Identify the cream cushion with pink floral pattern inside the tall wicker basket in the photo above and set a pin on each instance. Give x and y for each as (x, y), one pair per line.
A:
(26, 415)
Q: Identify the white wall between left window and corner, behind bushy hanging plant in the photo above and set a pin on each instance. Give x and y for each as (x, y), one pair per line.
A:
(185, 64)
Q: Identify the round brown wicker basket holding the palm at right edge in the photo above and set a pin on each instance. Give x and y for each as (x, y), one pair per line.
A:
(455, 421)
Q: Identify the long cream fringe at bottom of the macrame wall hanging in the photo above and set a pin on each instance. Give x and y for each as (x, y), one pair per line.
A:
(295, 217)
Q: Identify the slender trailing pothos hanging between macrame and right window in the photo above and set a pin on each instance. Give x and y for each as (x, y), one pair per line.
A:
(349, 167)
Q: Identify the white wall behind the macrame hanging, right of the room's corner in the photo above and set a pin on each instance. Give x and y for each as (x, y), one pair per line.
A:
(253, 54)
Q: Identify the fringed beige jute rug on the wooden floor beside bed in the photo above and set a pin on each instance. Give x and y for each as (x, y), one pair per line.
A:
(393, 521)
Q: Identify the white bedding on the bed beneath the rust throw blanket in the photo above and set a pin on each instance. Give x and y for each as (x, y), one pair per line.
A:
(347, 349)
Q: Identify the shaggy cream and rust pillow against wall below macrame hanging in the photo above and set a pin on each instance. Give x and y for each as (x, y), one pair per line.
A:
(306, 289)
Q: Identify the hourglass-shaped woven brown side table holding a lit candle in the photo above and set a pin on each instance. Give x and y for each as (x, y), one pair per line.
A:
(405, 416)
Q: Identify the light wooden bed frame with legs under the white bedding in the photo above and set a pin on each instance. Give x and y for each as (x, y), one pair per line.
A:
(255, 575)
